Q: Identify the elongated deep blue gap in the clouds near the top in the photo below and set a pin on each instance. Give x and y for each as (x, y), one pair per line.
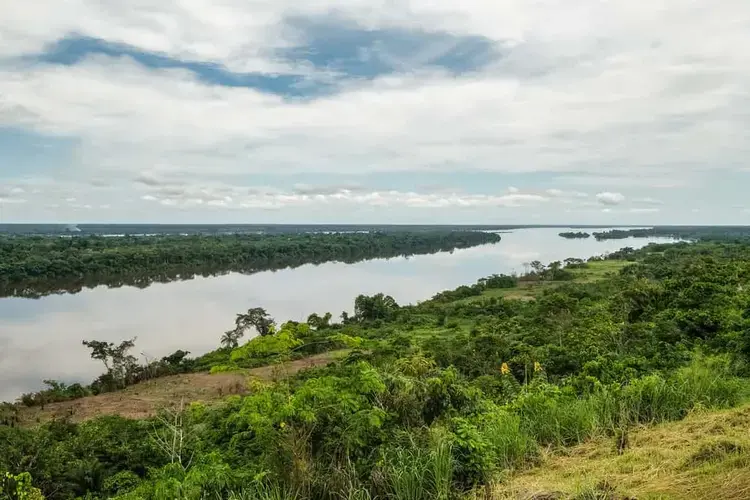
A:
(340, 50)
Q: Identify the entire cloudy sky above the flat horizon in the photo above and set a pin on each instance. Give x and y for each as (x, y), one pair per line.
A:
(375, 111)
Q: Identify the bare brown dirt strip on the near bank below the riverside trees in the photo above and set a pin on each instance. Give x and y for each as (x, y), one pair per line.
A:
(144, 399)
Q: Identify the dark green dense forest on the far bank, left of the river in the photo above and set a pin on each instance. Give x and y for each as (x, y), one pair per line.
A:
(33, 266)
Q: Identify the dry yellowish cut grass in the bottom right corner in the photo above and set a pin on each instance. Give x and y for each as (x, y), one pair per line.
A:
(705, 456)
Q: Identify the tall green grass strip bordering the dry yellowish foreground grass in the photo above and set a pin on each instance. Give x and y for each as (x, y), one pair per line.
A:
(470, 449)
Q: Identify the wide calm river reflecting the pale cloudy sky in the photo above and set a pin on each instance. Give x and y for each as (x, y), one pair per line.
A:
(41, 338)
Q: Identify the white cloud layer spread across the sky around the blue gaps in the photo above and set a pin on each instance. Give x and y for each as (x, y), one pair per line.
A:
(587, 89)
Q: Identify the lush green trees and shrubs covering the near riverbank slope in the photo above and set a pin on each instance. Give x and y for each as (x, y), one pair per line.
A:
(438, 400)
